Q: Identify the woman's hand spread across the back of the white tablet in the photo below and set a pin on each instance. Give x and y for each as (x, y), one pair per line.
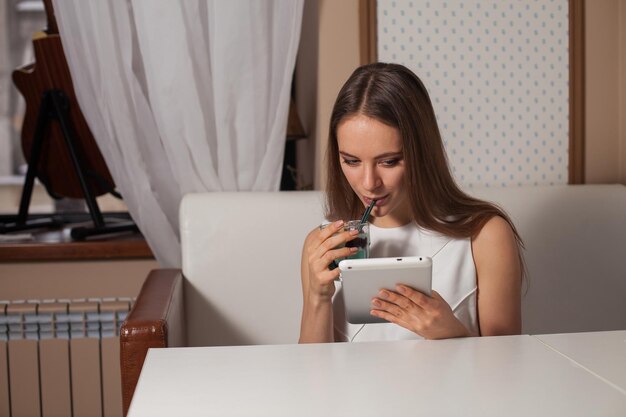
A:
(430, 317)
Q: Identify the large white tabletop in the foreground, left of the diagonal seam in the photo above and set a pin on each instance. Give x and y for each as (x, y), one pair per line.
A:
(490, 376)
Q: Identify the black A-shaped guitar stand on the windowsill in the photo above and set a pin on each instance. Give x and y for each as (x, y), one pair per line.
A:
(55, 106)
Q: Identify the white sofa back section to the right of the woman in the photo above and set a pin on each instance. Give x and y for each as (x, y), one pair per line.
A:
(575, 238)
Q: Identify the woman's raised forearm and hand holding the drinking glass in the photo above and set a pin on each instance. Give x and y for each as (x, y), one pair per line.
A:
(318, 284)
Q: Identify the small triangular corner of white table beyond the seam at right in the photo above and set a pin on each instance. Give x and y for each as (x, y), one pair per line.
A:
(601, 353)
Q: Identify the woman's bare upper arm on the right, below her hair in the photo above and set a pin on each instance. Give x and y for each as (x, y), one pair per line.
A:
(499, 276)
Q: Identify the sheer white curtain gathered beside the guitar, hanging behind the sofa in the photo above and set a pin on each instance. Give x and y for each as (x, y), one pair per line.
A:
(183, 96)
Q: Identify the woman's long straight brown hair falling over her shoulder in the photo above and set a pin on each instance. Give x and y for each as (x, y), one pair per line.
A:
(395, 96)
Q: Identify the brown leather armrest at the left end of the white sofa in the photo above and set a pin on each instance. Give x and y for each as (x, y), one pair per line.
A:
(155, 321)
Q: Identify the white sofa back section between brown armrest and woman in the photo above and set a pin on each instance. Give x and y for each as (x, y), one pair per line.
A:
(241, 260)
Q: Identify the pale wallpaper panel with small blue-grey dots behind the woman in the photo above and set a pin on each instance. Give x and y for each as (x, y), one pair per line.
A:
(498, 75)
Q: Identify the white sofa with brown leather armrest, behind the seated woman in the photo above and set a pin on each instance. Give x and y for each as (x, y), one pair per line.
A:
(240, 279)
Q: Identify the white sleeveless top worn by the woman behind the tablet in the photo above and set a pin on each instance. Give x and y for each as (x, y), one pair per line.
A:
(454, 278)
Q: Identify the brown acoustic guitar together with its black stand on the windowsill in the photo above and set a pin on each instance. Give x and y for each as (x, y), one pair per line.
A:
(57, 142)
